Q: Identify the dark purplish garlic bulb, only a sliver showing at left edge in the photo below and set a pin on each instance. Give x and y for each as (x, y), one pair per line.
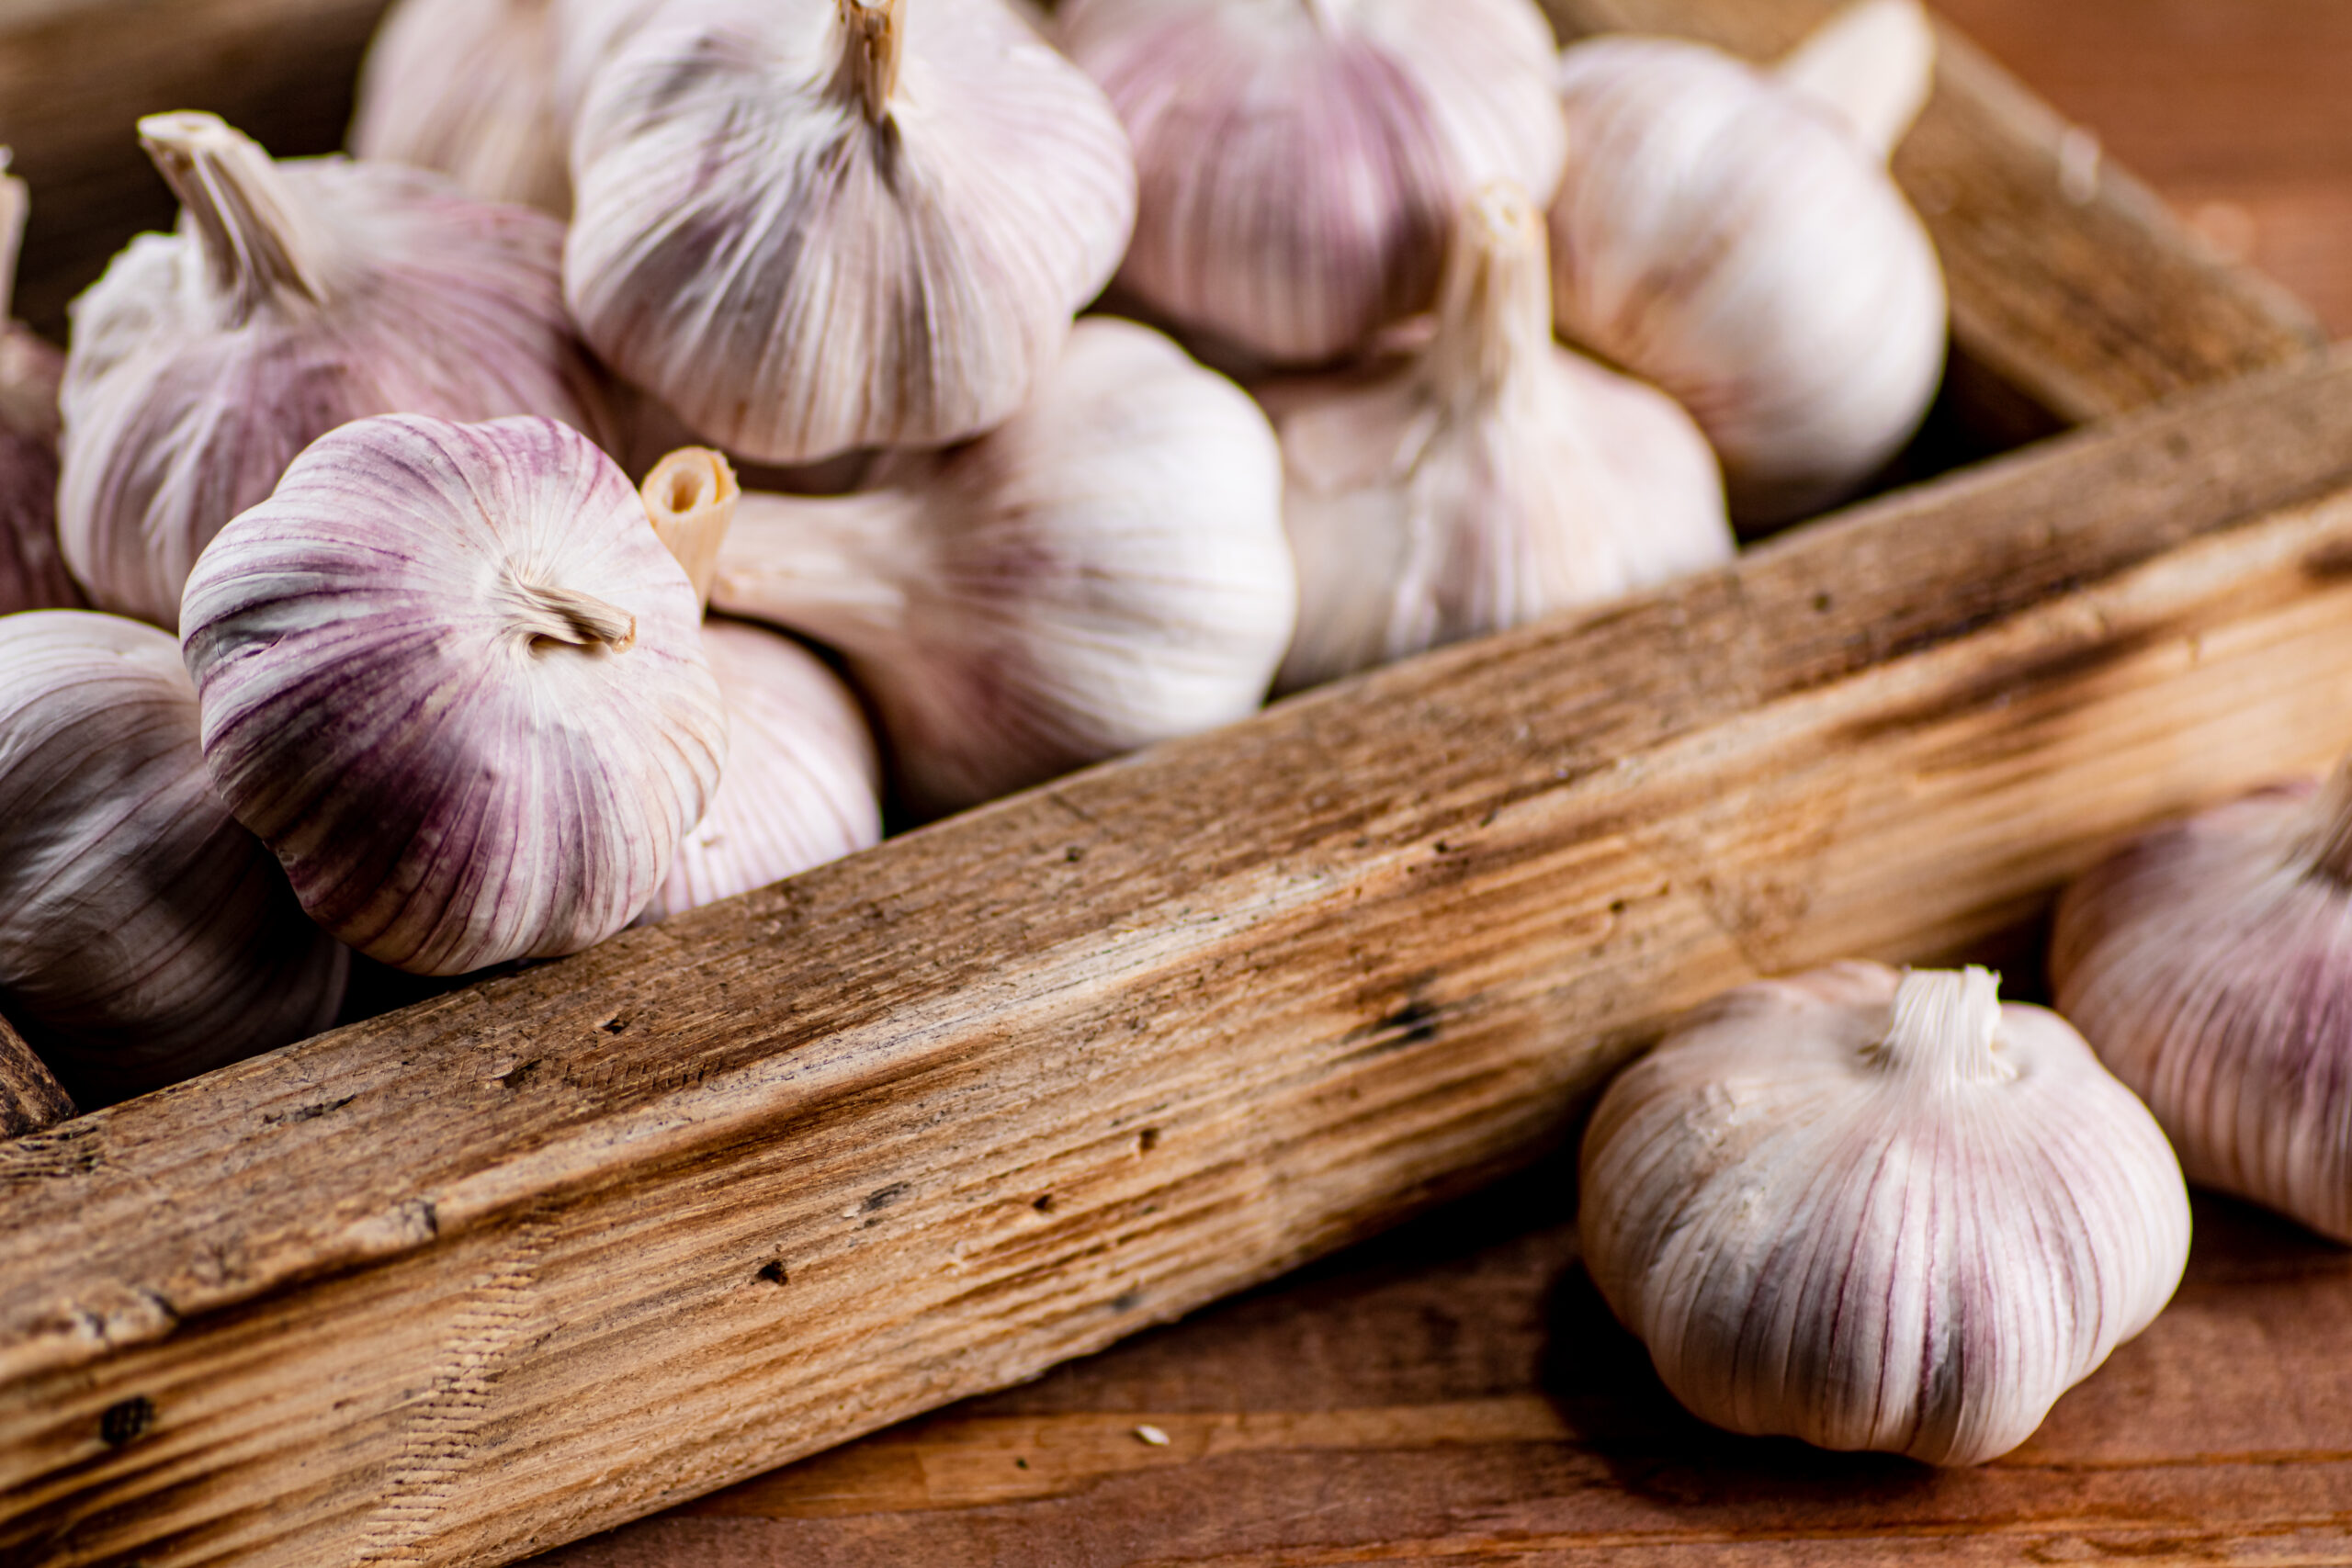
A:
(32, 568)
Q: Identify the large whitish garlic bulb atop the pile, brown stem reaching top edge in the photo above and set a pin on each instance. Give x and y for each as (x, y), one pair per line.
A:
(841, 222)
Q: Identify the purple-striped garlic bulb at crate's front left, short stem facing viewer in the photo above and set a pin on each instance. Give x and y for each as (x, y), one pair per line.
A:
(453, 678)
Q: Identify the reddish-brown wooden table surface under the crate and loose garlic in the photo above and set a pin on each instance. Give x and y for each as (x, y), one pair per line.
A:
(1457, 1393)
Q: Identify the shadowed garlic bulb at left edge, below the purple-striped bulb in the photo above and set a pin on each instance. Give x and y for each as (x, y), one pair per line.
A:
(145, 934)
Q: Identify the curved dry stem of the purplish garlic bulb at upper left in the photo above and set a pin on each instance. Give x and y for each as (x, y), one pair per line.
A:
(255, 239)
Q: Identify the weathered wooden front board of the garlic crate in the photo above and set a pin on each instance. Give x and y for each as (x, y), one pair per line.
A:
(926, 1123)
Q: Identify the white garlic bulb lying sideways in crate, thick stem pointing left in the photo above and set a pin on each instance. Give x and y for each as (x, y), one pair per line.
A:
(1102, 572)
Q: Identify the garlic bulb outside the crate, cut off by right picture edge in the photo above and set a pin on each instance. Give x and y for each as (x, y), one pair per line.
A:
(2212, 970)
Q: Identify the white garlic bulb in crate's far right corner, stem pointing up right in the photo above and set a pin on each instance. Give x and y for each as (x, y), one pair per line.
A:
(1728, 236)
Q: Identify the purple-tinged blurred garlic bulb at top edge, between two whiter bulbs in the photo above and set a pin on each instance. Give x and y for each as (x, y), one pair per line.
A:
(1302, 161)
